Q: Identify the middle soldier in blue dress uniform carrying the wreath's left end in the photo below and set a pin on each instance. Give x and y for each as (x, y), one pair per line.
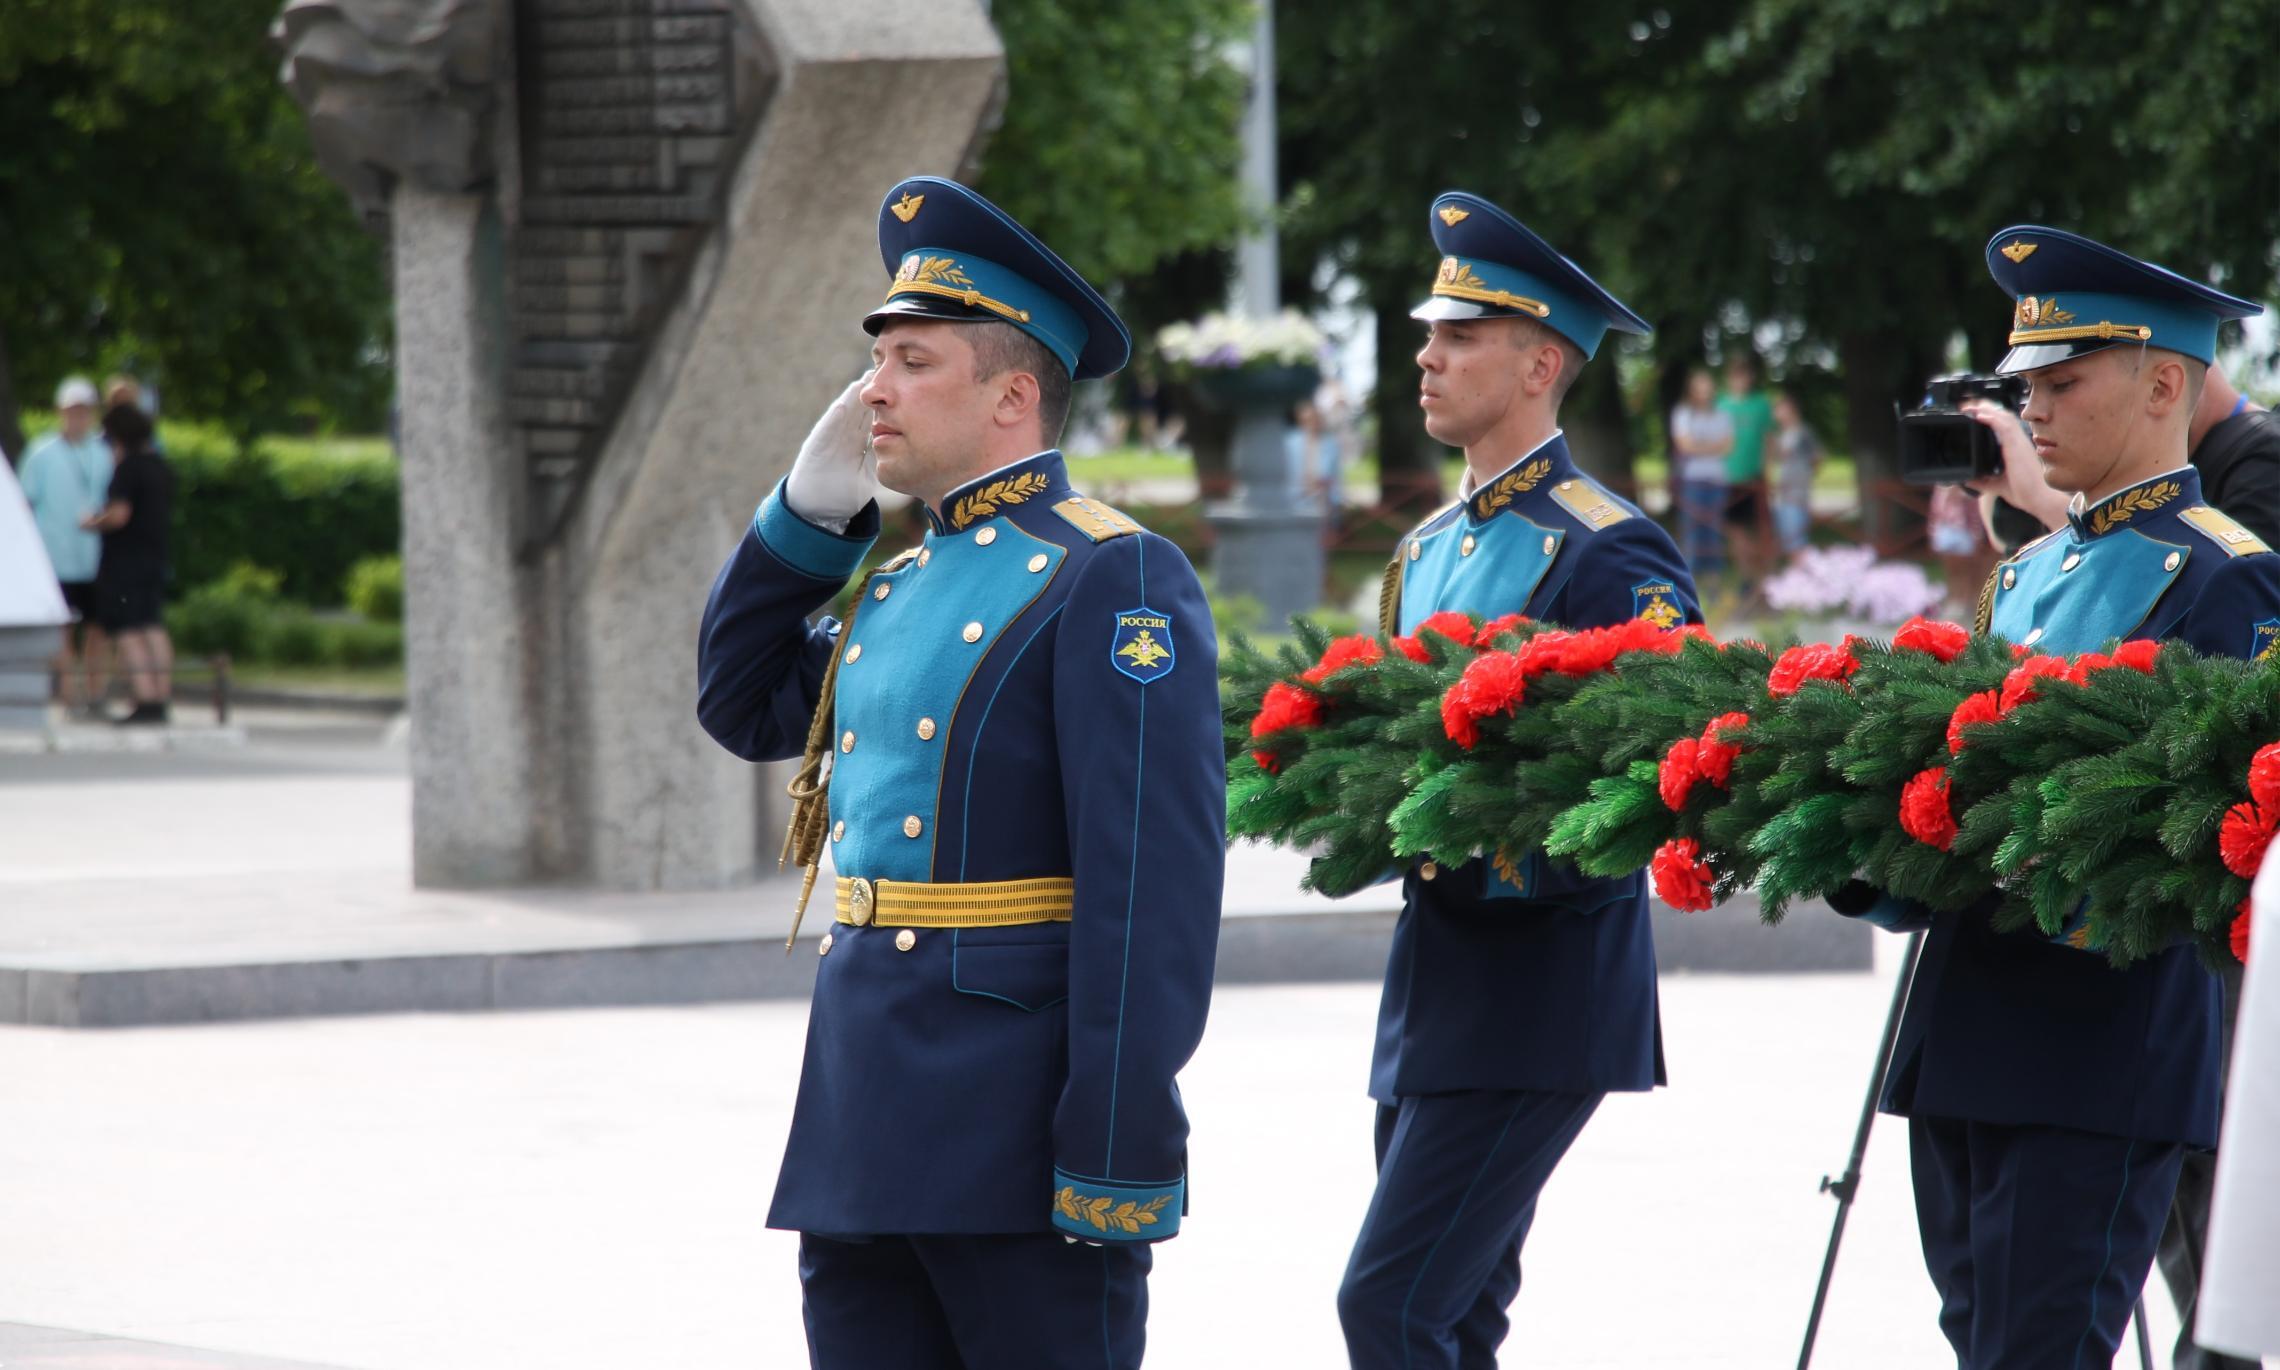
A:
(1517, 993)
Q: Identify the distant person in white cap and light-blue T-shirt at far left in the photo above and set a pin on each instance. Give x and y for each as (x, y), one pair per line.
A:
(65, 478)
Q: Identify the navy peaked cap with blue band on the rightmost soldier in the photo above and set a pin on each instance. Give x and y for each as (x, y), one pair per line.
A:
(2074, 297)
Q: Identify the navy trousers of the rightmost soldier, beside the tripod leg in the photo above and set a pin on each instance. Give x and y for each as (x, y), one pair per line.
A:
(2037, 1239)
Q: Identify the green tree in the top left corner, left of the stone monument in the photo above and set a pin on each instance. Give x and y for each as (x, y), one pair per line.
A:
(161, 209)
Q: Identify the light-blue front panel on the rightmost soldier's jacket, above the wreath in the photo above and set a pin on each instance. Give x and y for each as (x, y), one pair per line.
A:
(2071, 598)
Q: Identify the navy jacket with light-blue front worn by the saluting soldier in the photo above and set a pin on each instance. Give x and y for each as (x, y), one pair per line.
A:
(1032, 694)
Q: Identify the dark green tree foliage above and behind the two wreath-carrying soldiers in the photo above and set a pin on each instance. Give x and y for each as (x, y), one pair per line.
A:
(1823, 168)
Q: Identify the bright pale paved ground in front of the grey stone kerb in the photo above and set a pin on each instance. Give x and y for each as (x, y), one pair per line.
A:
(587, 1191)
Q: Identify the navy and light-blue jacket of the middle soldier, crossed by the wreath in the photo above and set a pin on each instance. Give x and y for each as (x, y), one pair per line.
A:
(1545, 981)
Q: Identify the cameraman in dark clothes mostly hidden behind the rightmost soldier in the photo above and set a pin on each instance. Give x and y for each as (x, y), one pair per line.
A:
(2236, 446)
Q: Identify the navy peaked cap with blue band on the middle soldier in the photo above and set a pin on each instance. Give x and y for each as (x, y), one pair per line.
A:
(1495, 268)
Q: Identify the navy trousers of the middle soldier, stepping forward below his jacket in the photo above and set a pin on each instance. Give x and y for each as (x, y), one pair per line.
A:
(1440, 1253)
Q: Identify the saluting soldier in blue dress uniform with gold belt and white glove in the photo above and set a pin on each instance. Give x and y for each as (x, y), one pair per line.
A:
(1025, 813)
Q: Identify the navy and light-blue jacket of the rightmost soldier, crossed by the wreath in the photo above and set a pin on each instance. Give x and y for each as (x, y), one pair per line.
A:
(2019, 1029)
